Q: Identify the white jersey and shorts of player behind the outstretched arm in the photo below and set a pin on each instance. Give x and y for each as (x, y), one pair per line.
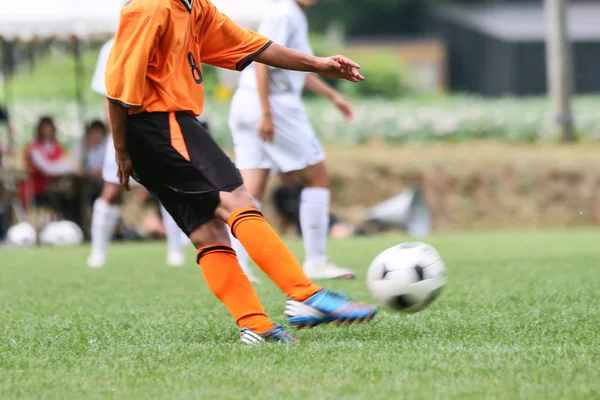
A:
(295, 145)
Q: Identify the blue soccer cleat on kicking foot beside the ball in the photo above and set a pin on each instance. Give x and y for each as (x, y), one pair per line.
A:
(327, 307)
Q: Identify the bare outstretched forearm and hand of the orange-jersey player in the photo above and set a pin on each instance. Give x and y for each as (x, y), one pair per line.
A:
(336, 67)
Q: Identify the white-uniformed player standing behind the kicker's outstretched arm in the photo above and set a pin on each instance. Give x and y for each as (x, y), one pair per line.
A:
(271, 131)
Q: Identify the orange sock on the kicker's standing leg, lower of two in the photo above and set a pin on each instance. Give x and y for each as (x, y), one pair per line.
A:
(228, 282)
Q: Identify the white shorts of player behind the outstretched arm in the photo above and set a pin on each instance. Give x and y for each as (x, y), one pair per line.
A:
(295, 145)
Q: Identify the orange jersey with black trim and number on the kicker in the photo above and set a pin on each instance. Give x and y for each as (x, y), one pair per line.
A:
(155, 62)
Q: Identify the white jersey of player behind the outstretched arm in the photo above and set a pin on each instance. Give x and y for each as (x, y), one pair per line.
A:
(287, 26)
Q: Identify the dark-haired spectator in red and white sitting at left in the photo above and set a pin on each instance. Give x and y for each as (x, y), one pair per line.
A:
(45, 161)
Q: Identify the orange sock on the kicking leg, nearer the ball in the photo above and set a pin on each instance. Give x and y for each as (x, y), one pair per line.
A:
(269, 252)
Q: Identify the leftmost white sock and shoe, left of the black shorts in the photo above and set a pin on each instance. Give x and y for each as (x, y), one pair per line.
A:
(104, 221)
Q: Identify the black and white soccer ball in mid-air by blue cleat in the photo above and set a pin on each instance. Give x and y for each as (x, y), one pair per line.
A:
(407, 277)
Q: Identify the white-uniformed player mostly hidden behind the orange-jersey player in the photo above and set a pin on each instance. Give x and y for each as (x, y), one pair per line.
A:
(107, 210)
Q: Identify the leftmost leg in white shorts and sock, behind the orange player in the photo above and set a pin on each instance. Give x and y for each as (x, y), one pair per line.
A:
(106, 210)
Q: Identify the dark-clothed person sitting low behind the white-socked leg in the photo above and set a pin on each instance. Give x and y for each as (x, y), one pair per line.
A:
(286, 199)
